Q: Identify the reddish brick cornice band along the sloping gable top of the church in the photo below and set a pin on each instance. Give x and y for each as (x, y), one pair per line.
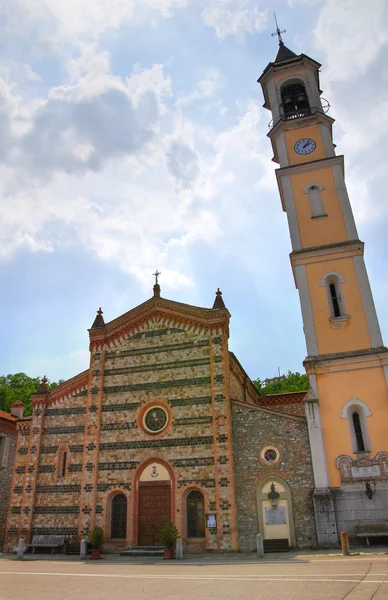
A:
(155, 314)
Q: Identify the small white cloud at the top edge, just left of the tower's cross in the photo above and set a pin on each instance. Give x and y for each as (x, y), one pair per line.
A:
(234, 17)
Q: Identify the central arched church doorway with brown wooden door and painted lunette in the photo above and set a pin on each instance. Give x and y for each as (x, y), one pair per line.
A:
(154, 505)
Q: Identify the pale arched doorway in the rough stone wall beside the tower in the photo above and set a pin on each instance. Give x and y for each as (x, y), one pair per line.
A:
(275, 513)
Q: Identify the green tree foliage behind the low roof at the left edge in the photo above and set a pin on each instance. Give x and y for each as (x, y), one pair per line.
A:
(19, 387)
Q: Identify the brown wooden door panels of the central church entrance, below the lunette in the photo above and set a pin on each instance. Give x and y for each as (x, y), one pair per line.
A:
(154, 511)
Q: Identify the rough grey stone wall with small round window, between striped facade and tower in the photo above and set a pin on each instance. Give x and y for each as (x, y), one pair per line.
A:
(253, 429)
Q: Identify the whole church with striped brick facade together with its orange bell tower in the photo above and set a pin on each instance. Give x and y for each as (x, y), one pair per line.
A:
(165, 423)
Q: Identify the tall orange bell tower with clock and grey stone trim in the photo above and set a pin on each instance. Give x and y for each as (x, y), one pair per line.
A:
(347, 363)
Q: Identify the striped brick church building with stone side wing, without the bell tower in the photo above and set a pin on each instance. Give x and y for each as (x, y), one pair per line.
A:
(164, 425)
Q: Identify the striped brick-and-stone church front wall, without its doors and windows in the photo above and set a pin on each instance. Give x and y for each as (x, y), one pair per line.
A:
(160, 354)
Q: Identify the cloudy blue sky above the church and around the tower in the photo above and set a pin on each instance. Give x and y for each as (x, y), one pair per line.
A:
(133, 138)
